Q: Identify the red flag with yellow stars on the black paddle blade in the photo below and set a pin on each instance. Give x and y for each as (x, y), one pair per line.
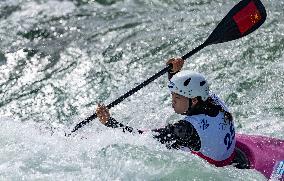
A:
(247, 17)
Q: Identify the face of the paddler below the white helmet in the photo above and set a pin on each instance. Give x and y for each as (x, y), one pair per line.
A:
(179, 103)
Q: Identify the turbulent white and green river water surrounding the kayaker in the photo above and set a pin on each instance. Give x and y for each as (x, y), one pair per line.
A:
(59, 58)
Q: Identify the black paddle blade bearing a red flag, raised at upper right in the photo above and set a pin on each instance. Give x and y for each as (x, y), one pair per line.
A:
(243, 19)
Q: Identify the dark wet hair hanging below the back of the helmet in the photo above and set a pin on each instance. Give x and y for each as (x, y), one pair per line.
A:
(208, 107)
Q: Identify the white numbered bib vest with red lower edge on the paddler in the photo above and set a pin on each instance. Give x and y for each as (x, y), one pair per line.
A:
(217, 136)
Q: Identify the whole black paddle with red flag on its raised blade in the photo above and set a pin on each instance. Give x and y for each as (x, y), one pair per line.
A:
(244, 18)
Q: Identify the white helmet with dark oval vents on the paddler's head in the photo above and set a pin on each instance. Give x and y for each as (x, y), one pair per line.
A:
(189, 84)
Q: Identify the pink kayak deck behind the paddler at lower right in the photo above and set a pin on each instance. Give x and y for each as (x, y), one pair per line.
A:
(264, 154)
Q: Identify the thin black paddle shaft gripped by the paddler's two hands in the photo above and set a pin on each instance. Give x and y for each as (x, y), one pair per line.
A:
(137, 88)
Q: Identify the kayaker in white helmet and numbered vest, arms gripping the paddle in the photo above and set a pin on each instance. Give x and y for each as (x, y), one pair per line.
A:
(207, 129)
